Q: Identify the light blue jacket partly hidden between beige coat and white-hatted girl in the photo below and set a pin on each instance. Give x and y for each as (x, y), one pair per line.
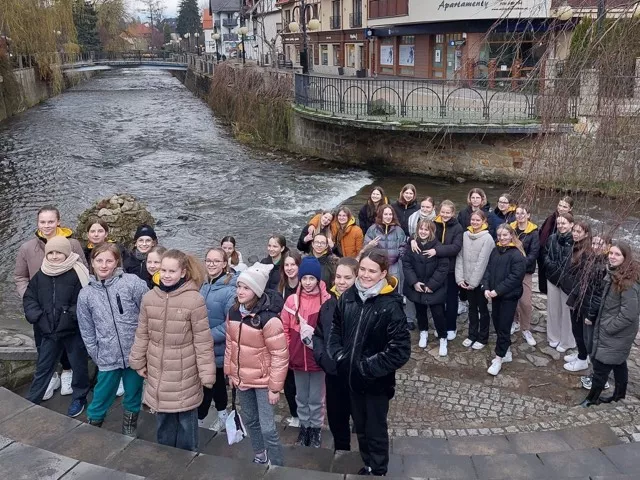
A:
(219, 297)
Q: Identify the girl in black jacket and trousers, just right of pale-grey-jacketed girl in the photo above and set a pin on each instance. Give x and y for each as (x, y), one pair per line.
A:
(502, 284)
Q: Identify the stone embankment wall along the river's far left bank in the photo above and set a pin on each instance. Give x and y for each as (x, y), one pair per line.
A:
(33, 90)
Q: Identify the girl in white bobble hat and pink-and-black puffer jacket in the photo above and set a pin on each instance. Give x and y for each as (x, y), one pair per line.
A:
(256, 359)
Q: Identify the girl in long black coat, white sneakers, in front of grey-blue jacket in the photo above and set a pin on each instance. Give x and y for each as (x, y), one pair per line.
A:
(425, 284)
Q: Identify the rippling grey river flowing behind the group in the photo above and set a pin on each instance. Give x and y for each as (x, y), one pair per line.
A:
(143, 132)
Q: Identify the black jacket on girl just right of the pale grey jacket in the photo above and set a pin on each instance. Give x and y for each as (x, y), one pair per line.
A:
(505, 272)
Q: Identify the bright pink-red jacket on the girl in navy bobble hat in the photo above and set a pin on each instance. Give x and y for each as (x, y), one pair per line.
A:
(302, 307)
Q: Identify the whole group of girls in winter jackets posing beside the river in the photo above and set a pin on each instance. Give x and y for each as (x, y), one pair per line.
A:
(327, 322)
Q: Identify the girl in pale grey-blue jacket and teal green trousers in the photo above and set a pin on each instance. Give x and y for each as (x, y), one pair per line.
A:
(108, 310)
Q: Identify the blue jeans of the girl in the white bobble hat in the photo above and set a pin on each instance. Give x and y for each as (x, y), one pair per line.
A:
(257, 415)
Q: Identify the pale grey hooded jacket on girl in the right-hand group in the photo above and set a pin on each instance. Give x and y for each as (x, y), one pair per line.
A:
(473, 259)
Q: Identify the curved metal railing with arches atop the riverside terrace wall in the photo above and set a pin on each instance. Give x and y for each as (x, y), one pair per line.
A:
(436, 101)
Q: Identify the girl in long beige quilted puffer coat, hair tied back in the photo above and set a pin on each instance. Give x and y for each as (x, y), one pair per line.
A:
(173, 350)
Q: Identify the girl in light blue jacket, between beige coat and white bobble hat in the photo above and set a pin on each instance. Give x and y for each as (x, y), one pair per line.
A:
(219, 293)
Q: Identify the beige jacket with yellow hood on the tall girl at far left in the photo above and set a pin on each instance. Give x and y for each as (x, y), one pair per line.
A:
(31, 255)
